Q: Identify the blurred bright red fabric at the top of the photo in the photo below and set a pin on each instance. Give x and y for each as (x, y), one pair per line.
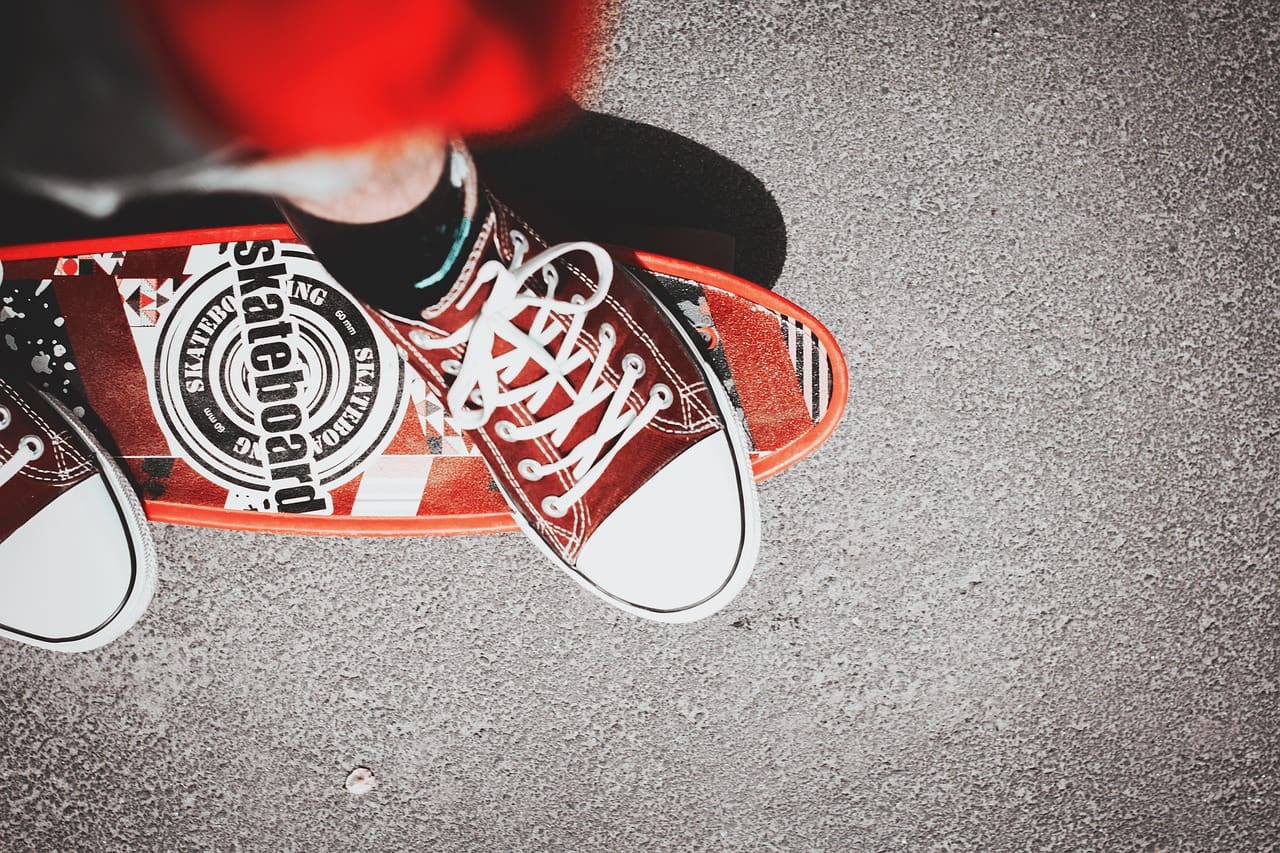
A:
(294, 75)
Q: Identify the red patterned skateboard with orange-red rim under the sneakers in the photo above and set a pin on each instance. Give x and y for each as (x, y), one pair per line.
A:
(145, 339)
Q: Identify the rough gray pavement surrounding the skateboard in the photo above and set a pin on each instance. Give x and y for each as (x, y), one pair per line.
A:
(1026, 599)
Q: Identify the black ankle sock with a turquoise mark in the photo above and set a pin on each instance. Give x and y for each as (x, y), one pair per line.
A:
(404, 264)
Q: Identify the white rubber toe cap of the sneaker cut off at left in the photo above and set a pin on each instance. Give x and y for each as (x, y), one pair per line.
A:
(67, 572)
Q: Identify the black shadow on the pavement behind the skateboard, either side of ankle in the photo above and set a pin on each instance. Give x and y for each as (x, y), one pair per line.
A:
(591, 177)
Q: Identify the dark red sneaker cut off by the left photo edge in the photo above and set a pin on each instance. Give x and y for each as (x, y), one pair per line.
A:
(76, 562)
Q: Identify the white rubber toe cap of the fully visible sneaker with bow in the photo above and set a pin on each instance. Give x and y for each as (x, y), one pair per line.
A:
(684, 544)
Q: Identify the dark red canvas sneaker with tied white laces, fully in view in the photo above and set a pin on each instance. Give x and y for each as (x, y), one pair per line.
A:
(610, 437)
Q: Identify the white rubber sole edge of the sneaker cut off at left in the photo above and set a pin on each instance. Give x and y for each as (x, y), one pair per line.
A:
(130, 509)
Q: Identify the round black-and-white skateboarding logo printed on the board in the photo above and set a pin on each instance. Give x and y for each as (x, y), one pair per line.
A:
(272, 378)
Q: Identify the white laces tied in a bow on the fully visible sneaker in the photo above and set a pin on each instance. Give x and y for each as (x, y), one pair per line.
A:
(477, 393)
